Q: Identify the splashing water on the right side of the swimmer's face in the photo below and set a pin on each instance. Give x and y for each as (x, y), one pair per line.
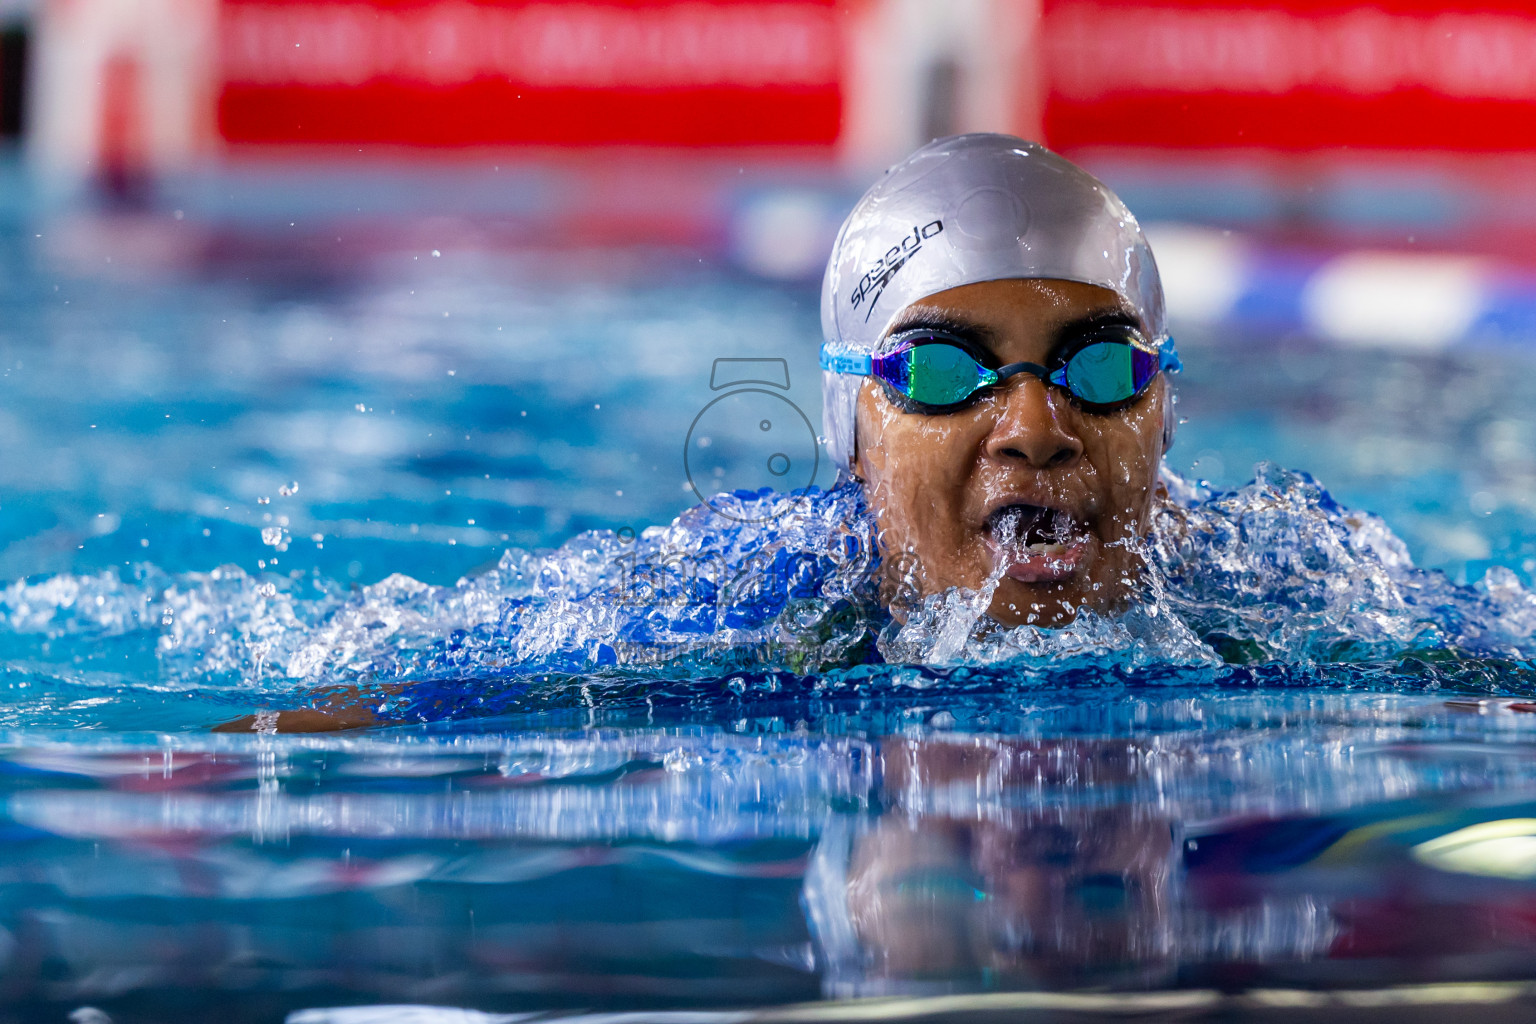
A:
(1277, 570)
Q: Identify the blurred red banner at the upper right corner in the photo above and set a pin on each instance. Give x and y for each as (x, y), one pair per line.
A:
(1291, 74)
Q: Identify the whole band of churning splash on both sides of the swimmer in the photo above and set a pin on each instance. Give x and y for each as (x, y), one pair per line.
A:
(1273, 573)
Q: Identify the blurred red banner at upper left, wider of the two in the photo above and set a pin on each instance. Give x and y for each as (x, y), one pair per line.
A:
(466, 73)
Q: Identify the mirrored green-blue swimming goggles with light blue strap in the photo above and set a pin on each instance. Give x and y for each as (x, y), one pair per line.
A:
(938, 372)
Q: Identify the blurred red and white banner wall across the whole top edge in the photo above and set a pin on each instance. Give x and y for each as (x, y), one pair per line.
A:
(866, 81)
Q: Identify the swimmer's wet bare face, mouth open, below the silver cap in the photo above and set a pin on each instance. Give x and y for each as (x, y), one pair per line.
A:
(1024, 481)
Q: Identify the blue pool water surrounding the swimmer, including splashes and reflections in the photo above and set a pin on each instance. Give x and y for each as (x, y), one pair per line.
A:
(635, 761)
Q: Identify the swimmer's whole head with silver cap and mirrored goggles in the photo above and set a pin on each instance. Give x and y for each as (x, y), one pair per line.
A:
(1005, 457)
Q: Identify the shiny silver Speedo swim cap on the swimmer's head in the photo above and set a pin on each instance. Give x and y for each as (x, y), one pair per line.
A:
(967, 210)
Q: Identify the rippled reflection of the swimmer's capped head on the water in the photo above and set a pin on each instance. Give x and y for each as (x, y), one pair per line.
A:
(1039, 896)
